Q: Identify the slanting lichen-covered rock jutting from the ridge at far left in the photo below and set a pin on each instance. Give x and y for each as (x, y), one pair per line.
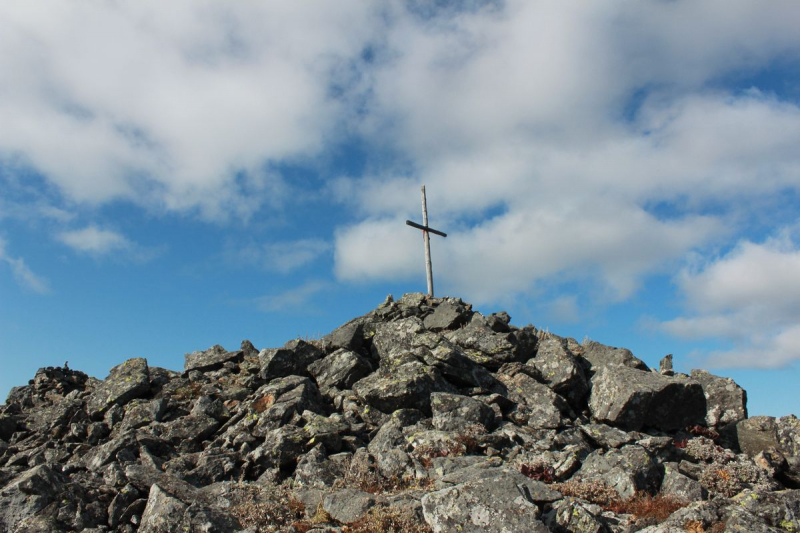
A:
(125, 382)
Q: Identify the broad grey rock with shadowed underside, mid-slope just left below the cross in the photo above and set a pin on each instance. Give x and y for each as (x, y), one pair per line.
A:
(407, 385)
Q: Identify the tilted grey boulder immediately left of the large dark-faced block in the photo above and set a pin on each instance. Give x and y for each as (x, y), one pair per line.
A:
(556, 367)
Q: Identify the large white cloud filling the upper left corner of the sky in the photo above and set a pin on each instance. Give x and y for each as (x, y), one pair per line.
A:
(180, 106)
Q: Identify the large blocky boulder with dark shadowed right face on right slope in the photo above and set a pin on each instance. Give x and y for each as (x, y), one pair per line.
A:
(631, 399)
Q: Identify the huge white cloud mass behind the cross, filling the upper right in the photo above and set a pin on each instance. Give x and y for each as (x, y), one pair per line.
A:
(570, 143)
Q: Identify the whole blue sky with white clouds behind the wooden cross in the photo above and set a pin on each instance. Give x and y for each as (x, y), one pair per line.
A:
(177, 175)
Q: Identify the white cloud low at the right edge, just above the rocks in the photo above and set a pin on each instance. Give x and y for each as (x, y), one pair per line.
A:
(750, 296)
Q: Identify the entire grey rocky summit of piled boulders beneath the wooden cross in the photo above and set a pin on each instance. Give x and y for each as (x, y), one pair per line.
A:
(420, 416)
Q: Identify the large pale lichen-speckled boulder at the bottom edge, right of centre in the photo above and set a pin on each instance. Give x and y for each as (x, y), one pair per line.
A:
(500, 501)
